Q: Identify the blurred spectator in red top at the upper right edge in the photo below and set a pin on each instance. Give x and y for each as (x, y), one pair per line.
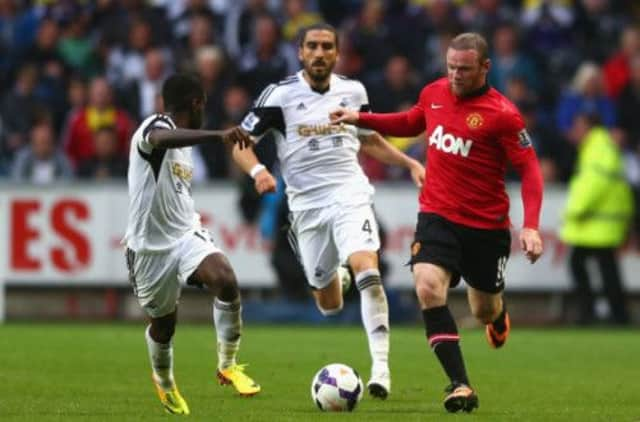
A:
(617, 69)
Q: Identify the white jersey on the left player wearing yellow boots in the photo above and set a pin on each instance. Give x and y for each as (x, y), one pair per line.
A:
(161, 209)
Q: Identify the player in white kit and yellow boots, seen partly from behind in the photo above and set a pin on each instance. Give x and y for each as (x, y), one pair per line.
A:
(166, 245)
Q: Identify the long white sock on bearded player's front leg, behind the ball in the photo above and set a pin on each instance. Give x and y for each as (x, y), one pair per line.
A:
(375, 314)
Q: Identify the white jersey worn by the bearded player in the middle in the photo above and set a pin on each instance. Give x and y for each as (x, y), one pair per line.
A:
(318, 159)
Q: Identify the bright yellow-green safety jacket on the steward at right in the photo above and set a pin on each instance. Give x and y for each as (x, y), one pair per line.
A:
(600, 203)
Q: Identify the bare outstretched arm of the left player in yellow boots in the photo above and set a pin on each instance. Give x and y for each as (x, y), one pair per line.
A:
(179, 138)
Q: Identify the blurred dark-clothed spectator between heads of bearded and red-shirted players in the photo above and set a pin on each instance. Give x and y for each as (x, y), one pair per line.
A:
(398, 87)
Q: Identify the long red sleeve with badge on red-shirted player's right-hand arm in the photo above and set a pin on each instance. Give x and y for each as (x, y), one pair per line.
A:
(519, 150)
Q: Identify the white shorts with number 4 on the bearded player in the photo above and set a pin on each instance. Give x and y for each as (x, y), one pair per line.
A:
(324, 238)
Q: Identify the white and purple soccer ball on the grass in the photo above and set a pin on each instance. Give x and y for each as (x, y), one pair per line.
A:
(336, 388)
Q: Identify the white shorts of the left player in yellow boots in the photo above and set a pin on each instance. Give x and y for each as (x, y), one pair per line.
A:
(156, 277)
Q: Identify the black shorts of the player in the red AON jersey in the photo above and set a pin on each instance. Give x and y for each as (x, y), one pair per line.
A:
(477, 255)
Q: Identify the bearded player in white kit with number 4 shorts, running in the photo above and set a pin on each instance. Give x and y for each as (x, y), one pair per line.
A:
(329, 195)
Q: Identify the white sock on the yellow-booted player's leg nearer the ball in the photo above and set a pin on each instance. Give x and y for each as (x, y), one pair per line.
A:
(228, 322)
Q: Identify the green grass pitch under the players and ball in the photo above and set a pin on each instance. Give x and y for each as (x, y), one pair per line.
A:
(100, 372)
